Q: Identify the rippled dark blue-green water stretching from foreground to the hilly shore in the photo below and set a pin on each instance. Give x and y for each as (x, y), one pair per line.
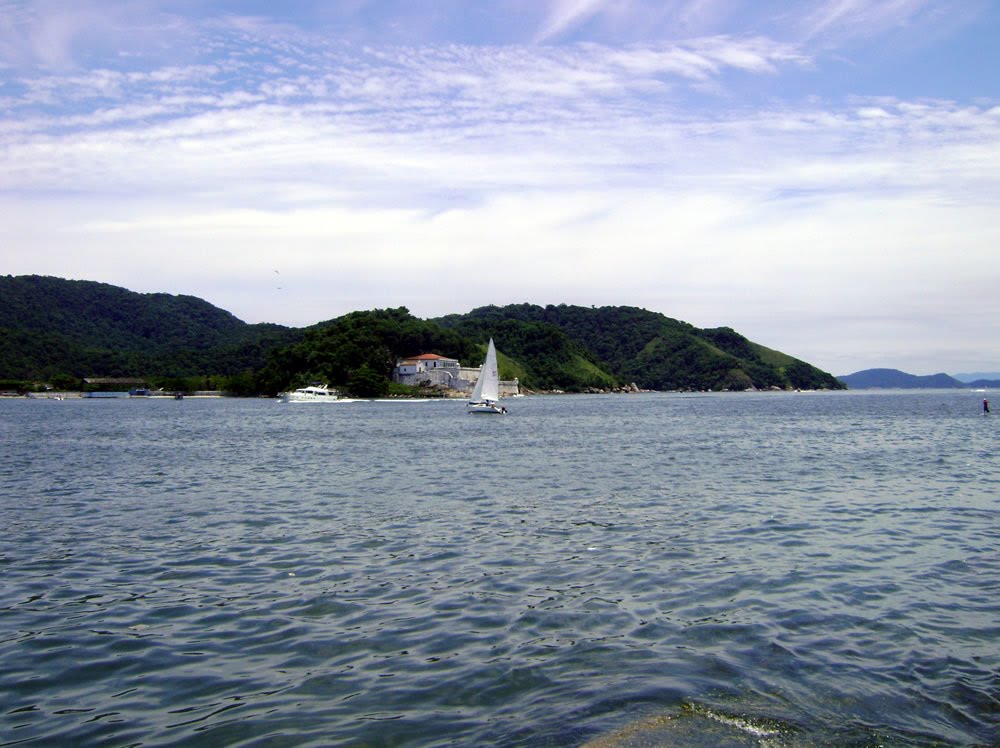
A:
(747, 569)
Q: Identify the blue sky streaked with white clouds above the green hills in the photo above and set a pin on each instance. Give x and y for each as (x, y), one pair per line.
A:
(823, 177)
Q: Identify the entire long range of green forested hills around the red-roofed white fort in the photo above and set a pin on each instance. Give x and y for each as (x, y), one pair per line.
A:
(73, 334)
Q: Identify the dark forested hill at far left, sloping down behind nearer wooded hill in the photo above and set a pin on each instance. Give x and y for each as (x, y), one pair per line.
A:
(51, 326)
